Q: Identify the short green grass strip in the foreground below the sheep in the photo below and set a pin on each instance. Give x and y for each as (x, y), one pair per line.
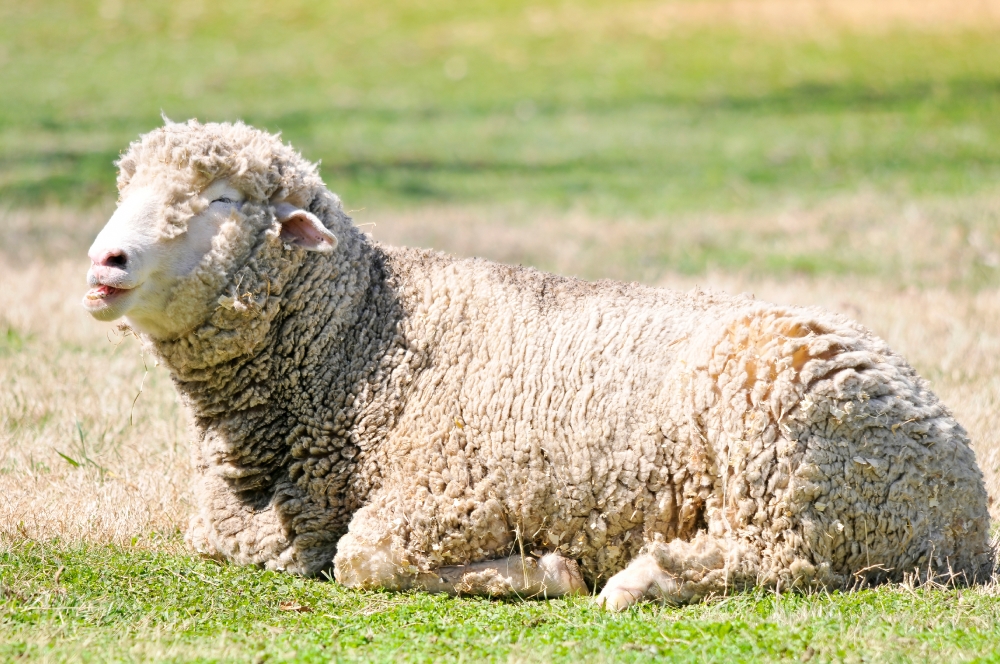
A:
(106, 604)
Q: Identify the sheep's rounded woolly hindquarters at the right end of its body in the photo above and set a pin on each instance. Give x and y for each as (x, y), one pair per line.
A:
(835, 466)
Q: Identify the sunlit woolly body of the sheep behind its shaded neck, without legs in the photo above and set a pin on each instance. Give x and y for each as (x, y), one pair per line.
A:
(552, 414)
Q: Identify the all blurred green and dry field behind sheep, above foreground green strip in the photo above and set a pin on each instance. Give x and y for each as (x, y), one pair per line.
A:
(835, 152)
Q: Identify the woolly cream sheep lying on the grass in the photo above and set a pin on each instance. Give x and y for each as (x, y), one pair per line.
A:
(419, 421)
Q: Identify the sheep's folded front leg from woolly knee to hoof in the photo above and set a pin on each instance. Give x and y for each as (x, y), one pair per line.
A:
(360, 565)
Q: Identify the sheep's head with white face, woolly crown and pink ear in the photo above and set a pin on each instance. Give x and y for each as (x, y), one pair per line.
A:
(195, 200)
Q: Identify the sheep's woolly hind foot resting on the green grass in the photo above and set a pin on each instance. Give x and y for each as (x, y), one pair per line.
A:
(677, 572)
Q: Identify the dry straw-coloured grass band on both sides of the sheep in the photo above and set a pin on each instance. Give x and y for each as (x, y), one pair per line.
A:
(69, 383)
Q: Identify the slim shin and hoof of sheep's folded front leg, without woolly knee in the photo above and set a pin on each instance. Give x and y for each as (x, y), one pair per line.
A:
(552, 575)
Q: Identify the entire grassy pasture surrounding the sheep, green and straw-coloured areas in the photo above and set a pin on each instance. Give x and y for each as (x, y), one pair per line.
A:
(845, 154)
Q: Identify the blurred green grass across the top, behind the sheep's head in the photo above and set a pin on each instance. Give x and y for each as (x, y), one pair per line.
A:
(573, 113)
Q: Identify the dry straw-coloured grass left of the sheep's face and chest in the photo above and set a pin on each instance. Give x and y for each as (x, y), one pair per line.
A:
(69, 383)
